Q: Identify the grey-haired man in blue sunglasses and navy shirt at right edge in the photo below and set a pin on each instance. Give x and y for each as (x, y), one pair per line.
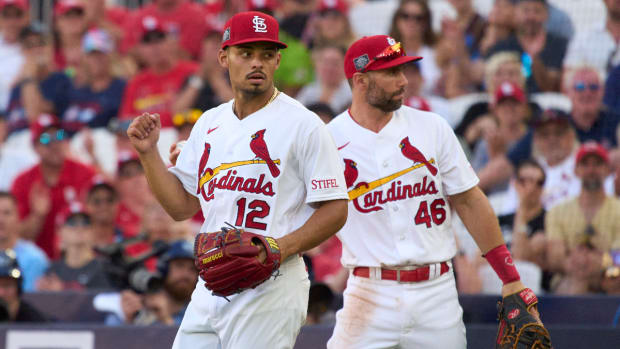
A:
(592, 120)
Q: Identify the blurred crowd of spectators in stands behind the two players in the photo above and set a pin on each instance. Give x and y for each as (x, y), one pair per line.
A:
(531, 88)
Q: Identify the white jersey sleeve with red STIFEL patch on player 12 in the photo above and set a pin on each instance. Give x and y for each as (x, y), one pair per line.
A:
(321, 167)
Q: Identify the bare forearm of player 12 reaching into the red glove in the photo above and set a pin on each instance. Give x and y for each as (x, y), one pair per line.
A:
(323, 223)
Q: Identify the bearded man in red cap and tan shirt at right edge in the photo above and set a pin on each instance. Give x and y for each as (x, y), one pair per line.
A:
(593, 207)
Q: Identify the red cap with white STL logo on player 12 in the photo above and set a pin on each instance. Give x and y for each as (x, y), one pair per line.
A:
(251, 26)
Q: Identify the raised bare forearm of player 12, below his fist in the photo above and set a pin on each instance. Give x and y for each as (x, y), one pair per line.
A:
(167, 188)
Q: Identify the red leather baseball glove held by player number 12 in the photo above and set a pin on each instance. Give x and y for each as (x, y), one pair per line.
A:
(228, 260)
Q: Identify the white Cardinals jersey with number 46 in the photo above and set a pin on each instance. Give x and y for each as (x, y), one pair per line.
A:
(398, 182)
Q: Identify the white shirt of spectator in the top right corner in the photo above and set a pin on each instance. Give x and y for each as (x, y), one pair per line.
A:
(598, 47)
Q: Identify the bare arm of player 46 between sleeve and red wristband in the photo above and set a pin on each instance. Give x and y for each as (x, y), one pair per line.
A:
(476, 213)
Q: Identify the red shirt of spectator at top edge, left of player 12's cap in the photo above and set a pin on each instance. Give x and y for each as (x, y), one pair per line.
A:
(180, 18)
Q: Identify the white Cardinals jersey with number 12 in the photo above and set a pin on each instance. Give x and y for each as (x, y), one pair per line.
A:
(259, 173)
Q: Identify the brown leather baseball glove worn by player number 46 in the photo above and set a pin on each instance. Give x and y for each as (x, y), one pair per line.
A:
(519, 328)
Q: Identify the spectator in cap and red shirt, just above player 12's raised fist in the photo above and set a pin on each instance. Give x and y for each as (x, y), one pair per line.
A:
(154, 89)
